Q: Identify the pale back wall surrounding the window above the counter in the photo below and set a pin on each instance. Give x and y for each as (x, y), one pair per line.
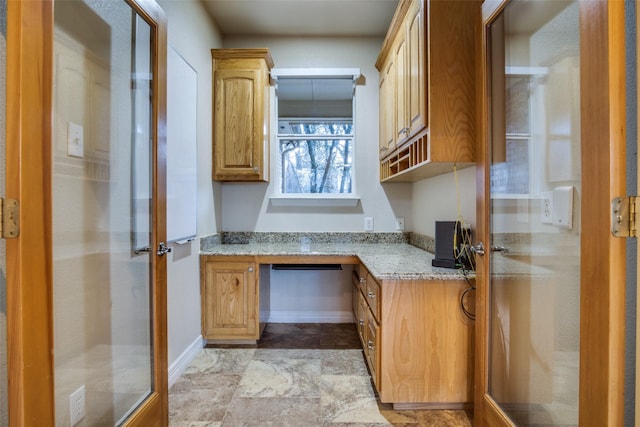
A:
(246, 207)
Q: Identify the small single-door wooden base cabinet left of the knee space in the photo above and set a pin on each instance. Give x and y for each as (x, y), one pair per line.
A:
(235, 299)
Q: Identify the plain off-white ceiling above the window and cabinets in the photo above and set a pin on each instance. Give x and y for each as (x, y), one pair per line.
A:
(302, 17)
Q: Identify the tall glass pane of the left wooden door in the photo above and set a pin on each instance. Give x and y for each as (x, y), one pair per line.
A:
(101, 211)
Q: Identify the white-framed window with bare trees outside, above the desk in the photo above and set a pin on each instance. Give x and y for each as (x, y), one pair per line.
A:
(315, 141)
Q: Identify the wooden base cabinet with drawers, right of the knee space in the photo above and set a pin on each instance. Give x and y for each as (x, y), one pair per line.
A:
(417, 342)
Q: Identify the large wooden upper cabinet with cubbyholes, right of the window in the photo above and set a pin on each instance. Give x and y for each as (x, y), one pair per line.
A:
(433, 45)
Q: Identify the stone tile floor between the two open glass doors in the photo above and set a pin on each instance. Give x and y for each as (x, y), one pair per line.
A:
(293, 377)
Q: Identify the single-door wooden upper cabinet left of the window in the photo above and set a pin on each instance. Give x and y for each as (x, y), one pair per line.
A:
(241, 114)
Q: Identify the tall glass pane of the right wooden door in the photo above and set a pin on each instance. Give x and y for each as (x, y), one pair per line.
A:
(535, 216)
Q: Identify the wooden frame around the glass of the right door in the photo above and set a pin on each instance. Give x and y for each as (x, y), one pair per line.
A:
(602, 256)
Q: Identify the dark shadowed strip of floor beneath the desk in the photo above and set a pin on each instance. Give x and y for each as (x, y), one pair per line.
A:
(312, 336)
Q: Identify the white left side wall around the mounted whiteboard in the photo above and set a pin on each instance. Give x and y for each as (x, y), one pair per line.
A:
(192, 34)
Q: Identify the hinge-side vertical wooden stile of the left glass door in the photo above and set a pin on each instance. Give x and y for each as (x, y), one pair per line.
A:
(28, 147)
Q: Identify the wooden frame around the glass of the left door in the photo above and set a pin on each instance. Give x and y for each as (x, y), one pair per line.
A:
(30, 29)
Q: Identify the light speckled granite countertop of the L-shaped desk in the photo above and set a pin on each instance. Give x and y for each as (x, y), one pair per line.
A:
(385, 261)
